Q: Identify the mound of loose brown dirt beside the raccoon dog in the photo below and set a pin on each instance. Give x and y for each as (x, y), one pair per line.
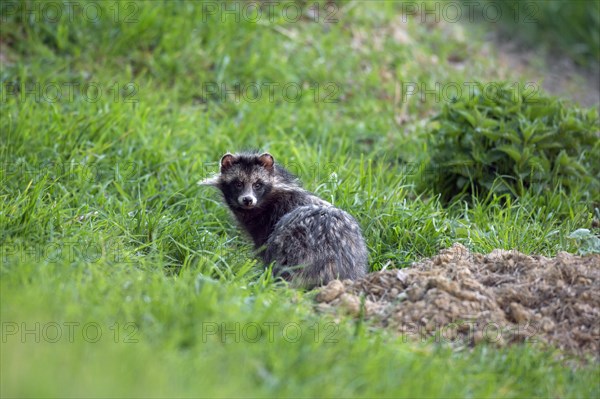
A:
(466, 298)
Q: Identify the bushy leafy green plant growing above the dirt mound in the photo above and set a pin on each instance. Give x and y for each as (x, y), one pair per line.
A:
(507, 140)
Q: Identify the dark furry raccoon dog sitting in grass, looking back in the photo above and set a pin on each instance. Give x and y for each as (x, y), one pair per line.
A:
(309, 241)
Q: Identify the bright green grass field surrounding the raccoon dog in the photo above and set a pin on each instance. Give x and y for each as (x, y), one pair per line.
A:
(121, 277)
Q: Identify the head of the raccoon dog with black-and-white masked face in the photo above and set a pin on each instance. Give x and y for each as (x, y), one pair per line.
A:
(245, 179)
